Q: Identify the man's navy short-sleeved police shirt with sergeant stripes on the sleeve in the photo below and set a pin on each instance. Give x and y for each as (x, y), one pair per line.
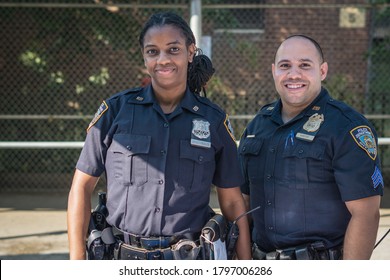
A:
(301, 173)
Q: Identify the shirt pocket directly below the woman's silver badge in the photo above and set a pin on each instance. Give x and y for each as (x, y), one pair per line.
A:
(196, 168)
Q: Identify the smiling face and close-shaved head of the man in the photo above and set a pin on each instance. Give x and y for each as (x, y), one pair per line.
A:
(298, 72)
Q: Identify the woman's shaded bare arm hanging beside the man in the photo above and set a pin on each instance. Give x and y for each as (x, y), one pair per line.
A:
(232, 205)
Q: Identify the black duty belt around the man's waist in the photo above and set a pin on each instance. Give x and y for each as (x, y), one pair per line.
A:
(312, 251)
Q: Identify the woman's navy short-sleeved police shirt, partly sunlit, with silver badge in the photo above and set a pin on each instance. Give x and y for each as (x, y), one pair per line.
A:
(160, 168)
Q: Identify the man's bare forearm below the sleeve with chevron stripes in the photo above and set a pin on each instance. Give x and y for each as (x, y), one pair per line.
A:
(362, 229)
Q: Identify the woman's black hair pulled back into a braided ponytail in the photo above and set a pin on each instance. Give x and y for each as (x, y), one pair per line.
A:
(201, 69)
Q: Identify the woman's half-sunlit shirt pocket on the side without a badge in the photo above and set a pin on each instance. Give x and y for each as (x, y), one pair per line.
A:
(129, 162)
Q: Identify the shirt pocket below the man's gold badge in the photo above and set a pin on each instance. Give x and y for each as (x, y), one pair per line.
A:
(304, 165)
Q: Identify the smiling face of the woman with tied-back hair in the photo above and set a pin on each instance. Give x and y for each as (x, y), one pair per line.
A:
(166, 57)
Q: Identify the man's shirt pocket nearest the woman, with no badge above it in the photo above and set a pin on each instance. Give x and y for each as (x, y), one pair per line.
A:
(249, 151)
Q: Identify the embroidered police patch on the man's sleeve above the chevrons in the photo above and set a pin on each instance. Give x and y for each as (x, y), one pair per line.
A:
(365, 139)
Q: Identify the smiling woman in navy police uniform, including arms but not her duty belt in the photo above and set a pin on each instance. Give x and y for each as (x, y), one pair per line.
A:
(161, 148)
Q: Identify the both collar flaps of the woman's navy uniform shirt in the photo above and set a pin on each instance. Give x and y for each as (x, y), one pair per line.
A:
(190, 101)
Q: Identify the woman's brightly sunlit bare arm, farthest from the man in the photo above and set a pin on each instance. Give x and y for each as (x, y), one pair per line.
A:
(79, 212)
